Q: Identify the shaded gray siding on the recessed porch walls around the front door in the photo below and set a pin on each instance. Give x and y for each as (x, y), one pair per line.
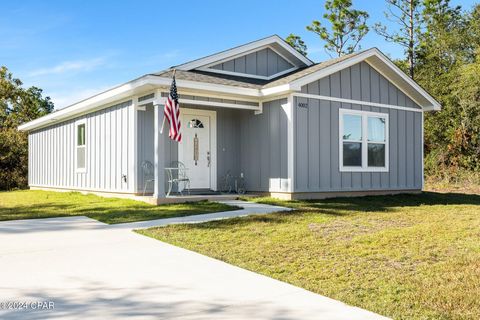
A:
(255, 145)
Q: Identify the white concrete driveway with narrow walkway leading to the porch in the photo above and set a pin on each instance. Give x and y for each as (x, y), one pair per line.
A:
(95, 271)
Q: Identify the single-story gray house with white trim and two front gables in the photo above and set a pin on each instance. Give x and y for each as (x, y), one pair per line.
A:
(291, 127)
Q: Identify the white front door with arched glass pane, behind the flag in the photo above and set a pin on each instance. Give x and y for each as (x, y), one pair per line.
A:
(195, 150)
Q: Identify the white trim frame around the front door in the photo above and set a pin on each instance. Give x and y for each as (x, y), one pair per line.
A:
(213, 141)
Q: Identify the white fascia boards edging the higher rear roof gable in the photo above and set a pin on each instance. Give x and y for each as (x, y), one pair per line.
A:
(242, 49)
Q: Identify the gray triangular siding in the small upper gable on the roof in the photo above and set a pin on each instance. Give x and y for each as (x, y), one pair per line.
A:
(265, 62)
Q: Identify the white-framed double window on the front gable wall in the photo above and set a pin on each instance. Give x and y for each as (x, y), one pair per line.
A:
(363, 141)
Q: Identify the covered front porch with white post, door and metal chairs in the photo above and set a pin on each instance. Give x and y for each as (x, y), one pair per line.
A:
(211, 150)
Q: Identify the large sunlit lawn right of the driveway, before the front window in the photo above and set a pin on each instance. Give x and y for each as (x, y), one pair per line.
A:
(404, 256)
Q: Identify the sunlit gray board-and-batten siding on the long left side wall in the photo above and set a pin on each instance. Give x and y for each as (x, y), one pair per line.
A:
(51, 161)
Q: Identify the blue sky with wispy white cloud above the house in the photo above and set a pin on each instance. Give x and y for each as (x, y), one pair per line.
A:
(73, 49)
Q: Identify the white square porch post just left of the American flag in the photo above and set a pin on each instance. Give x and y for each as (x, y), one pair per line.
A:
(159, 148)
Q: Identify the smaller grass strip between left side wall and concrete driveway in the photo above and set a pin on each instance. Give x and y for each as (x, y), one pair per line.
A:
(30, 204)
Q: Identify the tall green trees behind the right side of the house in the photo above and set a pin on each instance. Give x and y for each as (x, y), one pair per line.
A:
(441, 46)
